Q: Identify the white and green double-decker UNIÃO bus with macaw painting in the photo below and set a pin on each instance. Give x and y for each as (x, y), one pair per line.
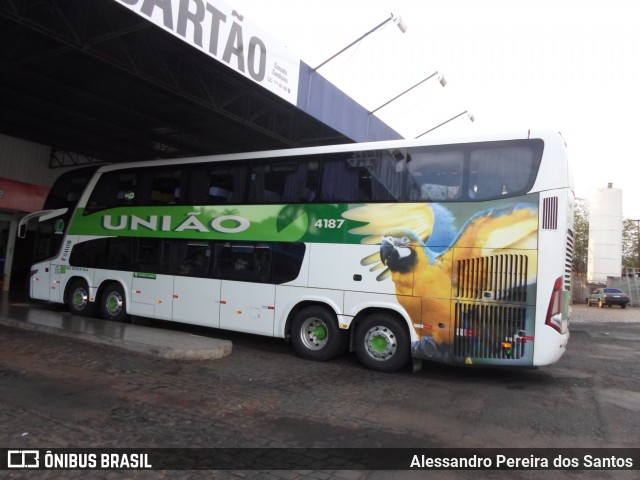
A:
(458, 253)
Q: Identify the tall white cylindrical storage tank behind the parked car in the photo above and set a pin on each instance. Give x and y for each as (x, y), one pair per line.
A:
(605, 235)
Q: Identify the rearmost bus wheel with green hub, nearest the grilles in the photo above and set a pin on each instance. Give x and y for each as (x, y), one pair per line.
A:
(382, 343)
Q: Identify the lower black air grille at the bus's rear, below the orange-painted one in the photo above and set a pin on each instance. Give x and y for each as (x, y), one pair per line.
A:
(482, 329)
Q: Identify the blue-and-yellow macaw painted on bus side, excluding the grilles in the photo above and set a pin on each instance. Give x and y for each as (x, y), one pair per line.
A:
(418, 246)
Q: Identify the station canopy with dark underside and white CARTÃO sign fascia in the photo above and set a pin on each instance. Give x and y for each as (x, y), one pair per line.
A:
(126, 80)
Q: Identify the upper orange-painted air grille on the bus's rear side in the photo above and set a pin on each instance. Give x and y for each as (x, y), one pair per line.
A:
(496, 277)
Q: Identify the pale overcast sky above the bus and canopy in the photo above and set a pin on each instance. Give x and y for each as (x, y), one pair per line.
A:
(572, 66)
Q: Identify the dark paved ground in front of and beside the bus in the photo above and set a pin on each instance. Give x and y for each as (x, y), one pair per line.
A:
(58, 392)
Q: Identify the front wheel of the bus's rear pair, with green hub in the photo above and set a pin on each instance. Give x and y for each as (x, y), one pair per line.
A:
(315, 334)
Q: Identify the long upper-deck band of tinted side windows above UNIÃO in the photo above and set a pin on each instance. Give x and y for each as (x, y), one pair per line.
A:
(464, 172)
